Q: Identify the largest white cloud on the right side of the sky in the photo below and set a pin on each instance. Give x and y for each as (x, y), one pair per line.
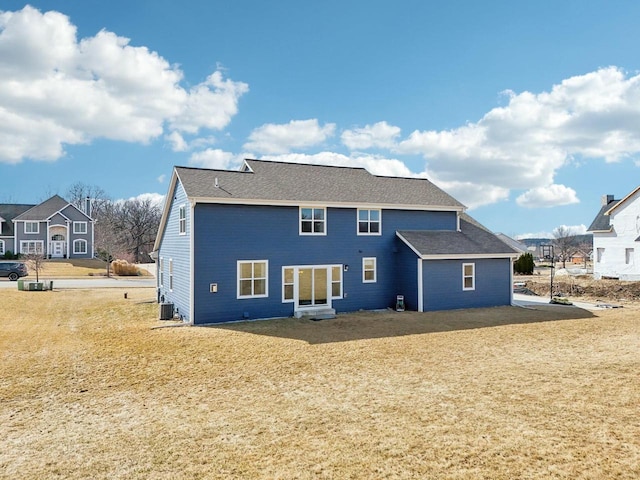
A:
(523, 144)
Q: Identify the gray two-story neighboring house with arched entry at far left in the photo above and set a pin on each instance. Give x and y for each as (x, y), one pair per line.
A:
(54, 227)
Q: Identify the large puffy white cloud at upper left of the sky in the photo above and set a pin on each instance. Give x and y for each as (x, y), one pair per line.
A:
(56, 90)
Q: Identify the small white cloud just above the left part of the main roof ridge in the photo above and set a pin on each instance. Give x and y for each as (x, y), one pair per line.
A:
(282, 138)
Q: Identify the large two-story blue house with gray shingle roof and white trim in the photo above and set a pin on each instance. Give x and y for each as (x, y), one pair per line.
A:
(279, 239)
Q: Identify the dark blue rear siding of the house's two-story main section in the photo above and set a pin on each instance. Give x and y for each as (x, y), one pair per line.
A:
(228, 233)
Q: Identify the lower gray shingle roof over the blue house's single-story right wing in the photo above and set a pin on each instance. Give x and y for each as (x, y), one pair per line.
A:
(473, 239)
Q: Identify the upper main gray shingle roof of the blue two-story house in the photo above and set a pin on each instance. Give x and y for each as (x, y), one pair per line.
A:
(294, 182)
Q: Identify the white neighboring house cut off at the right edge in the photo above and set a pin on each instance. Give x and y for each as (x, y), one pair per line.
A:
(616, 238)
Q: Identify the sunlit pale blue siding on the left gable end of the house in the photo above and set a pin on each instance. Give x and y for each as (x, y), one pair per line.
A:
(176, 247)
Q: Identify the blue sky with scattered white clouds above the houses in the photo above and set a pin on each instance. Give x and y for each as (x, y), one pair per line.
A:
(526, 112)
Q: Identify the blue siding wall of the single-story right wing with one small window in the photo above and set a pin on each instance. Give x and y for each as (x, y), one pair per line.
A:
(442, 284)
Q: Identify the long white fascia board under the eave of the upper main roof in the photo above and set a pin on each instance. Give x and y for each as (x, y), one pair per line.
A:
(292, 203)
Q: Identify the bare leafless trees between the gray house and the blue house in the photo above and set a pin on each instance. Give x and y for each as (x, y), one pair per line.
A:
(124, 229)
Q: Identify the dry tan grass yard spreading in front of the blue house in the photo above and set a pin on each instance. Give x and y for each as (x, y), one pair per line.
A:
(89, 390)
